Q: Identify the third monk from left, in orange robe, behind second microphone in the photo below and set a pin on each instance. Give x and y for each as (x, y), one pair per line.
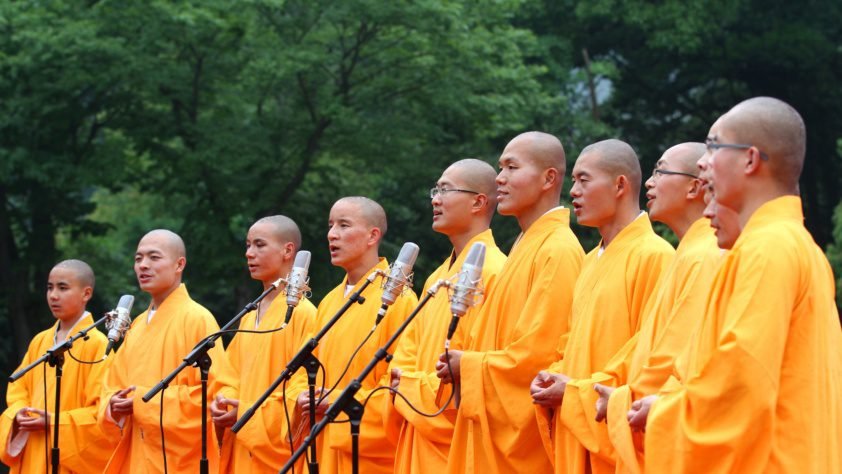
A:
(257, 359)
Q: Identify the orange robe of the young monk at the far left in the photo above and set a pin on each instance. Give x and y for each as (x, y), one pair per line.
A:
(83, 446)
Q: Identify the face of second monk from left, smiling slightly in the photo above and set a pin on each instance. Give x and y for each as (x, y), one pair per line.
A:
(157, 265)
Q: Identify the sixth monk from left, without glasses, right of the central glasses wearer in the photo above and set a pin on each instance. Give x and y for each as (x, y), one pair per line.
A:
(526, 312)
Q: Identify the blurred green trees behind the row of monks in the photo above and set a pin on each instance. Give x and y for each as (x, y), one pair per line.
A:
(118, 117)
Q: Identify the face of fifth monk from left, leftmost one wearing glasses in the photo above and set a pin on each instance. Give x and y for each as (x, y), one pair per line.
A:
(452, 209)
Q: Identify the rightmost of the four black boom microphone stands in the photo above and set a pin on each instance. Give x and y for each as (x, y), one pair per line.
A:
(350, 405)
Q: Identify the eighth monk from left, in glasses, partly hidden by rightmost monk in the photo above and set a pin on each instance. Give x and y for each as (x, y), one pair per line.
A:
(675, 197)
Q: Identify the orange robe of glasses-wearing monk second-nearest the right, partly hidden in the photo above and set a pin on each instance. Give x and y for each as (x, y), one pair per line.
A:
(672, 317)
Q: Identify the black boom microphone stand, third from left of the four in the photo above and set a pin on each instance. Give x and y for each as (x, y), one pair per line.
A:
(305, 358)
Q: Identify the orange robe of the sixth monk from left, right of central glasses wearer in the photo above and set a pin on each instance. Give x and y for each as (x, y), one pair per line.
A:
(515, 335)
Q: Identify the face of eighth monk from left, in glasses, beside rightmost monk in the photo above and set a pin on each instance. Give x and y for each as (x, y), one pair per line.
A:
(666, 190)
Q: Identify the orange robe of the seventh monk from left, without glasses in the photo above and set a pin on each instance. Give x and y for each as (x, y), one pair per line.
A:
(609, 297)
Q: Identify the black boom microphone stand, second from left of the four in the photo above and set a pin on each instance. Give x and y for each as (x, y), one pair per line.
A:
(200, 358)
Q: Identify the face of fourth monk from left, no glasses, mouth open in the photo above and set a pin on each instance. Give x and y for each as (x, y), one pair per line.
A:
(349, 235)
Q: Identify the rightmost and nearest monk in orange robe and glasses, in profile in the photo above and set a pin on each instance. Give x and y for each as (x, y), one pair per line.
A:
(761, 388)
